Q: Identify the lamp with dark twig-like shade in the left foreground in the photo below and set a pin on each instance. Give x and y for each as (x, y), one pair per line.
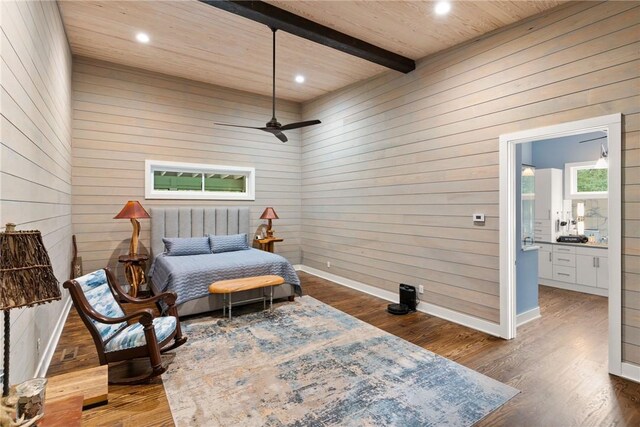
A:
(26, 279)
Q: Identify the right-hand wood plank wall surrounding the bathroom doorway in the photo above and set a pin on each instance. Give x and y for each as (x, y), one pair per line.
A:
(401, 162)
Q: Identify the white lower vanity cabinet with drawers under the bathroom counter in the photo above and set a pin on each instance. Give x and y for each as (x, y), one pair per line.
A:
(573, 267)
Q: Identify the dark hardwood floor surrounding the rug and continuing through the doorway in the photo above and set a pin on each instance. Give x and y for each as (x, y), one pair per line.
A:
(558, 362)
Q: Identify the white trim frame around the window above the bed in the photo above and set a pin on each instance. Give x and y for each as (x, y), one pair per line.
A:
(152, 165)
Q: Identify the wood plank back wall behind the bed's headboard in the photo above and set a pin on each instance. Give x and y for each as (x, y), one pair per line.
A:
(122, 116)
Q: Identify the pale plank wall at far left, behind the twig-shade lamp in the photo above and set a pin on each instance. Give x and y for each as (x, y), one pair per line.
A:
(35, 127)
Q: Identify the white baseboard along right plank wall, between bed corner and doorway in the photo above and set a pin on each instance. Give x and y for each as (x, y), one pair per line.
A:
(434, 310)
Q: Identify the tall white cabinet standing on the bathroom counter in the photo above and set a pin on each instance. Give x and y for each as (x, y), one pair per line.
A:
(548, 206)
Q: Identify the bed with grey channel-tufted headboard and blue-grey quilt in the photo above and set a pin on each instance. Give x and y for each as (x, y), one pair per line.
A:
(189, 276)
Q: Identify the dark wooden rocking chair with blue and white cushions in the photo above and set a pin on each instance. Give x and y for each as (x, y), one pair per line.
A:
(117, 337)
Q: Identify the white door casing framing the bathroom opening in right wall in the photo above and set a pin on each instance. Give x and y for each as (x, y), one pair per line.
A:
(509, 170)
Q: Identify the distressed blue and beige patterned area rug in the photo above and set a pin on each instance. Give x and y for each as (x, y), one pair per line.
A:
(308, 364)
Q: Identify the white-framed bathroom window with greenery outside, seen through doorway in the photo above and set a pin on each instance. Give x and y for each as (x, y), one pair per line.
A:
(584, 180)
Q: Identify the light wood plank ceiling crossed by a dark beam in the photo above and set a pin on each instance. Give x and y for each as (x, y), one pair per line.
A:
(193, 40)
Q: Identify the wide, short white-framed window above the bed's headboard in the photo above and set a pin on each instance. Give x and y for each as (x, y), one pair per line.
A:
(173, 180)
